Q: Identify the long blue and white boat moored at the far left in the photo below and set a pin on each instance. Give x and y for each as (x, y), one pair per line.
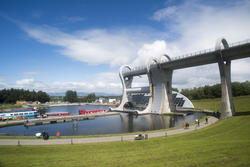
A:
(15, 114)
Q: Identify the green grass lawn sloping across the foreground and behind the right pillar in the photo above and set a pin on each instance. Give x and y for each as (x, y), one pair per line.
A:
(226, 143)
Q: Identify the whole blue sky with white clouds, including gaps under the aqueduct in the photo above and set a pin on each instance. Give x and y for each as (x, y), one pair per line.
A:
(80, 45)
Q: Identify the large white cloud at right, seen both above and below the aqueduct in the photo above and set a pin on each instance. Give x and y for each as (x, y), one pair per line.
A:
(197, 27)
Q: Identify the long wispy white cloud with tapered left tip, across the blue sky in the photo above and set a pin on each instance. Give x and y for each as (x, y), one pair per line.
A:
(96, 46)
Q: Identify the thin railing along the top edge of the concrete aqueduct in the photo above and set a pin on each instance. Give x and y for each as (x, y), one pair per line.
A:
(139, 69)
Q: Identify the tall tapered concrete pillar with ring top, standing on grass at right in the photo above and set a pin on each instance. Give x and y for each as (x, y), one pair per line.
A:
(227, 108)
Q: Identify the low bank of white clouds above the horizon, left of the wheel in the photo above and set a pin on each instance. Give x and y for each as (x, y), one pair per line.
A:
(106, 82)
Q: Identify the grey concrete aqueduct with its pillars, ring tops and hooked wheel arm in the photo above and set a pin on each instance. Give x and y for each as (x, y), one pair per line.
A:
(160, 72)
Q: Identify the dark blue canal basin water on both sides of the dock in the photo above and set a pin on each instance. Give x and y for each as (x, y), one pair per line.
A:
(122, 123)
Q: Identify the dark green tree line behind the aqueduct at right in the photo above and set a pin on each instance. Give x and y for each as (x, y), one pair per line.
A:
(214, 91)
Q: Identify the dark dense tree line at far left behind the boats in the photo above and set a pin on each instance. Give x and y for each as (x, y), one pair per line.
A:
(13, 95)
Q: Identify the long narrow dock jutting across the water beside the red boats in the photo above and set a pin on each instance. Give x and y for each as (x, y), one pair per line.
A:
(55, 119)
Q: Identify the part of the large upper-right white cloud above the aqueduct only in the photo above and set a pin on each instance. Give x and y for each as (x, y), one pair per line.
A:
(198, 26)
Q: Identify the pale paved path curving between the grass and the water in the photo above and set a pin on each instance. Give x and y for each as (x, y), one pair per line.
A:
(211, 120)
